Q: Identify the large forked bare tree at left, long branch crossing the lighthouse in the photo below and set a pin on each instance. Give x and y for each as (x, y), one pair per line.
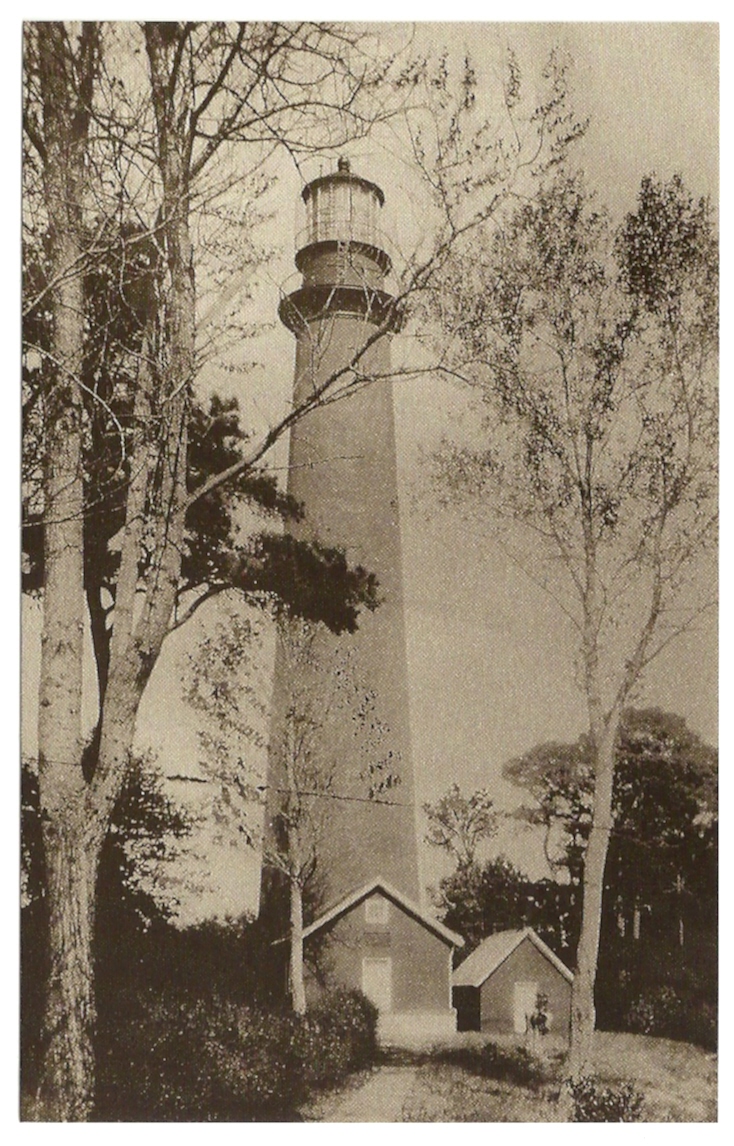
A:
(208, 93)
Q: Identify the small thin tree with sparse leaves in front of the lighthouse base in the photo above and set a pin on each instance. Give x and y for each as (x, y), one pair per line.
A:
(285, 821)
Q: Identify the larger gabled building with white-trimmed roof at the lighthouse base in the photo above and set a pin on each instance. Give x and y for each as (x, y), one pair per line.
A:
(381, 943)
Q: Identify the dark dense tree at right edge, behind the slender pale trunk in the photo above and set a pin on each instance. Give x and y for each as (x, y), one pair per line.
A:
(661, 874)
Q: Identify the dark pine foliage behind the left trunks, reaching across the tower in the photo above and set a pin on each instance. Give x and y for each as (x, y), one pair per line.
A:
(300, 577)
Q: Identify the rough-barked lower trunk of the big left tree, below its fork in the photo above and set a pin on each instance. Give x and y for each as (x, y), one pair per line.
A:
(73, 853)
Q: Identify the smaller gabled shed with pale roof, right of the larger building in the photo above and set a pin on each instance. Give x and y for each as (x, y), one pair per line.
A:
(497, 987)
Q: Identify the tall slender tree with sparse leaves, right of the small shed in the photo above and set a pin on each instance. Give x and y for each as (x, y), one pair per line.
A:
(594, 358)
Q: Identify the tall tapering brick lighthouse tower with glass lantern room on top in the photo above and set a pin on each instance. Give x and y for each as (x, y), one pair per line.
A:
(343, 470)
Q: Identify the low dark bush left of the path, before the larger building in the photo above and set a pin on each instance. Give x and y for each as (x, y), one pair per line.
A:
(177, 1058)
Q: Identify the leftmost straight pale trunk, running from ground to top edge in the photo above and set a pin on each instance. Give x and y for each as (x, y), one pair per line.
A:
(71, 851)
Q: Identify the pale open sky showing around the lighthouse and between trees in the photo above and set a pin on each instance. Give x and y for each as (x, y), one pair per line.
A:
(490, 664)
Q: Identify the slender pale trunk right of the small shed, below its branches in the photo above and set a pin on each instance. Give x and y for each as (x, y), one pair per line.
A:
(583, 1009)
